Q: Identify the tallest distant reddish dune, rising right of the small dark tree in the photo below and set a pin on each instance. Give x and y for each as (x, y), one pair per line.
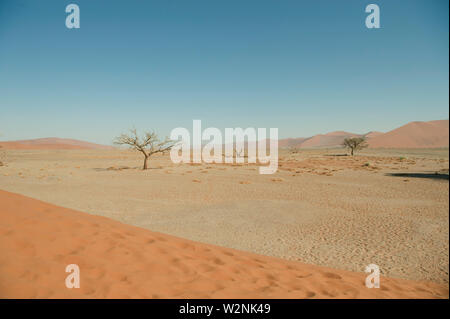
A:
(414, 135)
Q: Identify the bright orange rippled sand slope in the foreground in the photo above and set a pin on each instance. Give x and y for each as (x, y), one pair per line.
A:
(39, 240)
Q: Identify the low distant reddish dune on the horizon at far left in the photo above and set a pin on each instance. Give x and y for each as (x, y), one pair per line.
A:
(52, 143)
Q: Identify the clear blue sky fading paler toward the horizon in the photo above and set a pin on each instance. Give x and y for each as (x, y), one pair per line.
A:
(306, 67)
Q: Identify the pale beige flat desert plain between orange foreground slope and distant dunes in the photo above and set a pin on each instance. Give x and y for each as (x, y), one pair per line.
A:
(320, 209)
